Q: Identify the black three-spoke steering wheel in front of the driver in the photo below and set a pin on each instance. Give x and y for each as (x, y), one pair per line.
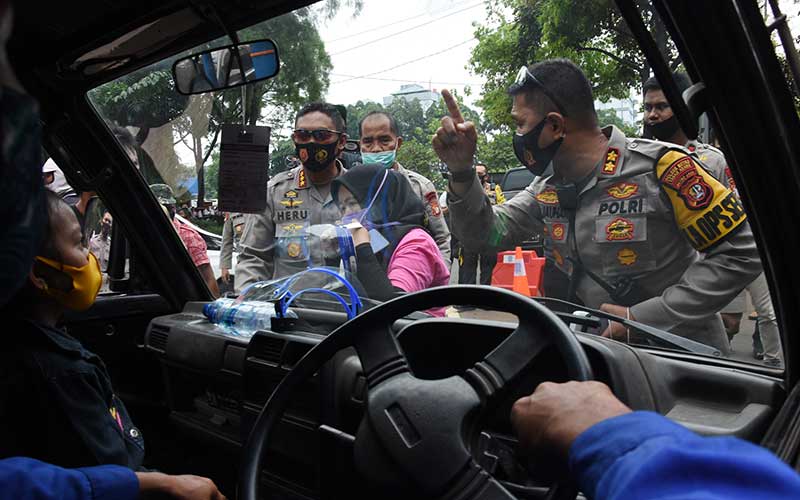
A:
(421, 427)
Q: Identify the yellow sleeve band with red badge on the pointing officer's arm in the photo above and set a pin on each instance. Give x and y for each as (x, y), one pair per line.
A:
(705, 210)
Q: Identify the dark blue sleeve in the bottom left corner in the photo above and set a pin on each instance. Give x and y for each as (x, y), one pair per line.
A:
(28, 479)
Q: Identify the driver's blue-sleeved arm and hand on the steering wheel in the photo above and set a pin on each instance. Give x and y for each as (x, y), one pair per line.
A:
(615, 453)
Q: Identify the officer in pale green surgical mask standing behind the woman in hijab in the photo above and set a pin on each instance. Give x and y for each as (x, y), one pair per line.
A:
(380, 141)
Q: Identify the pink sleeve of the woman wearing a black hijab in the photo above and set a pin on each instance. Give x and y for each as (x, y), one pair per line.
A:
(416, 263)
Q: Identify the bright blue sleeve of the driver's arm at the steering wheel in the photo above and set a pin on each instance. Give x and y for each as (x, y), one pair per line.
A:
(644, 455)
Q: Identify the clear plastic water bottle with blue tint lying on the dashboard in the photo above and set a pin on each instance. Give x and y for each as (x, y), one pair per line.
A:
(242, 319)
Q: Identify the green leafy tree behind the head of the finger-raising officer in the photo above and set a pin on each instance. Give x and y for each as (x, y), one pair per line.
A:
(591, 33)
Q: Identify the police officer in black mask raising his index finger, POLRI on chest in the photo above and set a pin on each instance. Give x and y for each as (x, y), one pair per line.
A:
(625, 219)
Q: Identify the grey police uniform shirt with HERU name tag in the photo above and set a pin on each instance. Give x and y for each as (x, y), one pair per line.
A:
(277, 243)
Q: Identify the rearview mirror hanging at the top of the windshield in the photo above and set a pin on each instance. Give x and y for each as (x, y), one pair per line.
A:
(226, 67)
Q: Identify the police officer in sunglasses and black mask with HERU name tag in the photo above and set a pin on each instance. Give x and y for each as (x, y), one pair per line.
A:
(277, 242)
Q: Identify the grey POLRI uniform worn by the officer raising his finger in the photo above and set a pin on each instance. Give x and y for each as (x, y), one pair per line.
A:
(645, 214)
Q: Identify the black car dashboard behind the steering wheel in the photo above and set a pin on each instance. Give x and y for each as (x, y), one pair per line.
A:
(217, 383)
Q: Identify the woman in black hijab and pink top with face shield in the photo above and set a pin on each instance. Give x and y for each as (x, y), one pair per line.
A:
(393, 251)
